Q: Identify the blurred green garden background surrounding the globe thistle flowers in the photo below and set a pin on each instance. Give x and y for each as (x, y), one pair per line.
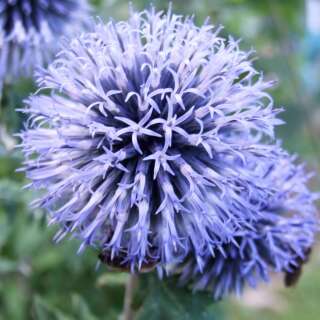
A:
(40, 280)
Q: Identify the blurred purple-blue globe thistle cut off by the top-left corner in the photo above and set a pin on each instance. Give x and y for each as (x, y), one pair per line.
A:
(29, 31)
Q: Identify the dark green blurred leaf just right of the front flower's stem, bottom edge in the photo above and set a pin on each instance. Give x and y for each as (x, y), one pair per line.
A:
(166, 301)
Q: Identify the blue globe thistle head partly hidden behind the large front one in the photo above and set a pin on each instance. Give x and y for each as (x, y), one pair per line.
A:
(278, 241)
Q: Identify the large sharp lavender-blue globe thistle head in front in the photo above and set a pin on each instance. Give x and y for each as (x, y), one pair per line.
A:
(144, 143)
